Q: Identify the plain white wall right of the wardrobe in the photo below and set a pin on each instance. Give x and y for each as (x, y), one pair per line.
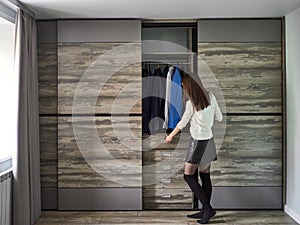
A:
(293, 114)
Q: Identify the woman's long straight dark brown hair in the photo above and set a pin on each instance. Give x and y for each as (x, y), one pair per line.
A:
(199, 96)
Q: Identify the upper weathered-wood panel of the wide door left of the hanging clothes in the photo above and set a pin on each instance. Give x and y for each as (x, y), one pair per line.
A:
(87, 70)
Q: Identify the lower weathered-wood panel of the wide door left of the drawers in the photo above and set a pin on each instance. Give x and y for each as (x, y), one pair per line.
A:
(82, 163)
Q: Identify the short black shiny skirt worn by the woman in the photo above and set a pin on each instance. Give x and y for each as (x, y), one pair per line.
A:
(201, 152)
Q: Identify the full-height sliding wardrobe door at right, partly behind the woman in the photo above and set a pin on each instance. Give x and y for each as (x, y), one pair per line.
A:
(242, 58)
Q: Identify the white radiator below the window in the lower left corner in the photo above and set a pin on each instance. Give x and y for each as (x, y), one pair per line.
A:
(5, 198)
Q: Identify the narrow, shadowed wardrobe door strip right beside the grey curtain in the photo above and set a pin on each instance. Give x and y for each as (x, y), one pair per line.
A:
(47, 78)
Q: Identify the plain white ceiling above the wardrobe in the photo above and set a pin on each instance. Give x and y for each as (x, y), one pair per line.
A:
(160, 9)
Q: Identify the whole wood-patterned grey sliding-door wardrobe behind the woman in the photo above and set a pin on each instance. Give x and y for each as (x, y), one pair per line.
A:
(94, 153)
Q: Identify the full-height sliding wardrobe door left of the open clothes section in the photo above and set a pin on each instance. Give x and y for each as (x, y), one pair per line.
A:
(99, 122)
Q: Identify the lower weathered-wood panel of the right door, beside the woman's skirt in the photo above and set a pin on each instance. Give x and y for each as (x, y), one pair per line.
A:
(251, 152)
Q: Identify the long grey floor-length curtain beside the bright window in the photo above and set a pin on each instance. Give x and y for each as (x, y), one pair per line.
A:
(26, 162)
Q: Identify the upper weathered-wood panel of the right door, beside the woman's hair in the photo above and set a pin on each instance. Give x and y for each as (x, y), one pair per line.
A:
(249, 75)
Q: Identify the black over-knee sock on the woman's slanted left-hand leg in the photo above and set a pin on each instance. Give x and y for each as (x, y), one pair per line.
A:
(198, 191)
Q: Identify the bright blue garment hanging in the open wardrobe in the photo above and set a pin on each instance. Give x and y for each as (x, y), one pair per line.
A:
(175, 110)
